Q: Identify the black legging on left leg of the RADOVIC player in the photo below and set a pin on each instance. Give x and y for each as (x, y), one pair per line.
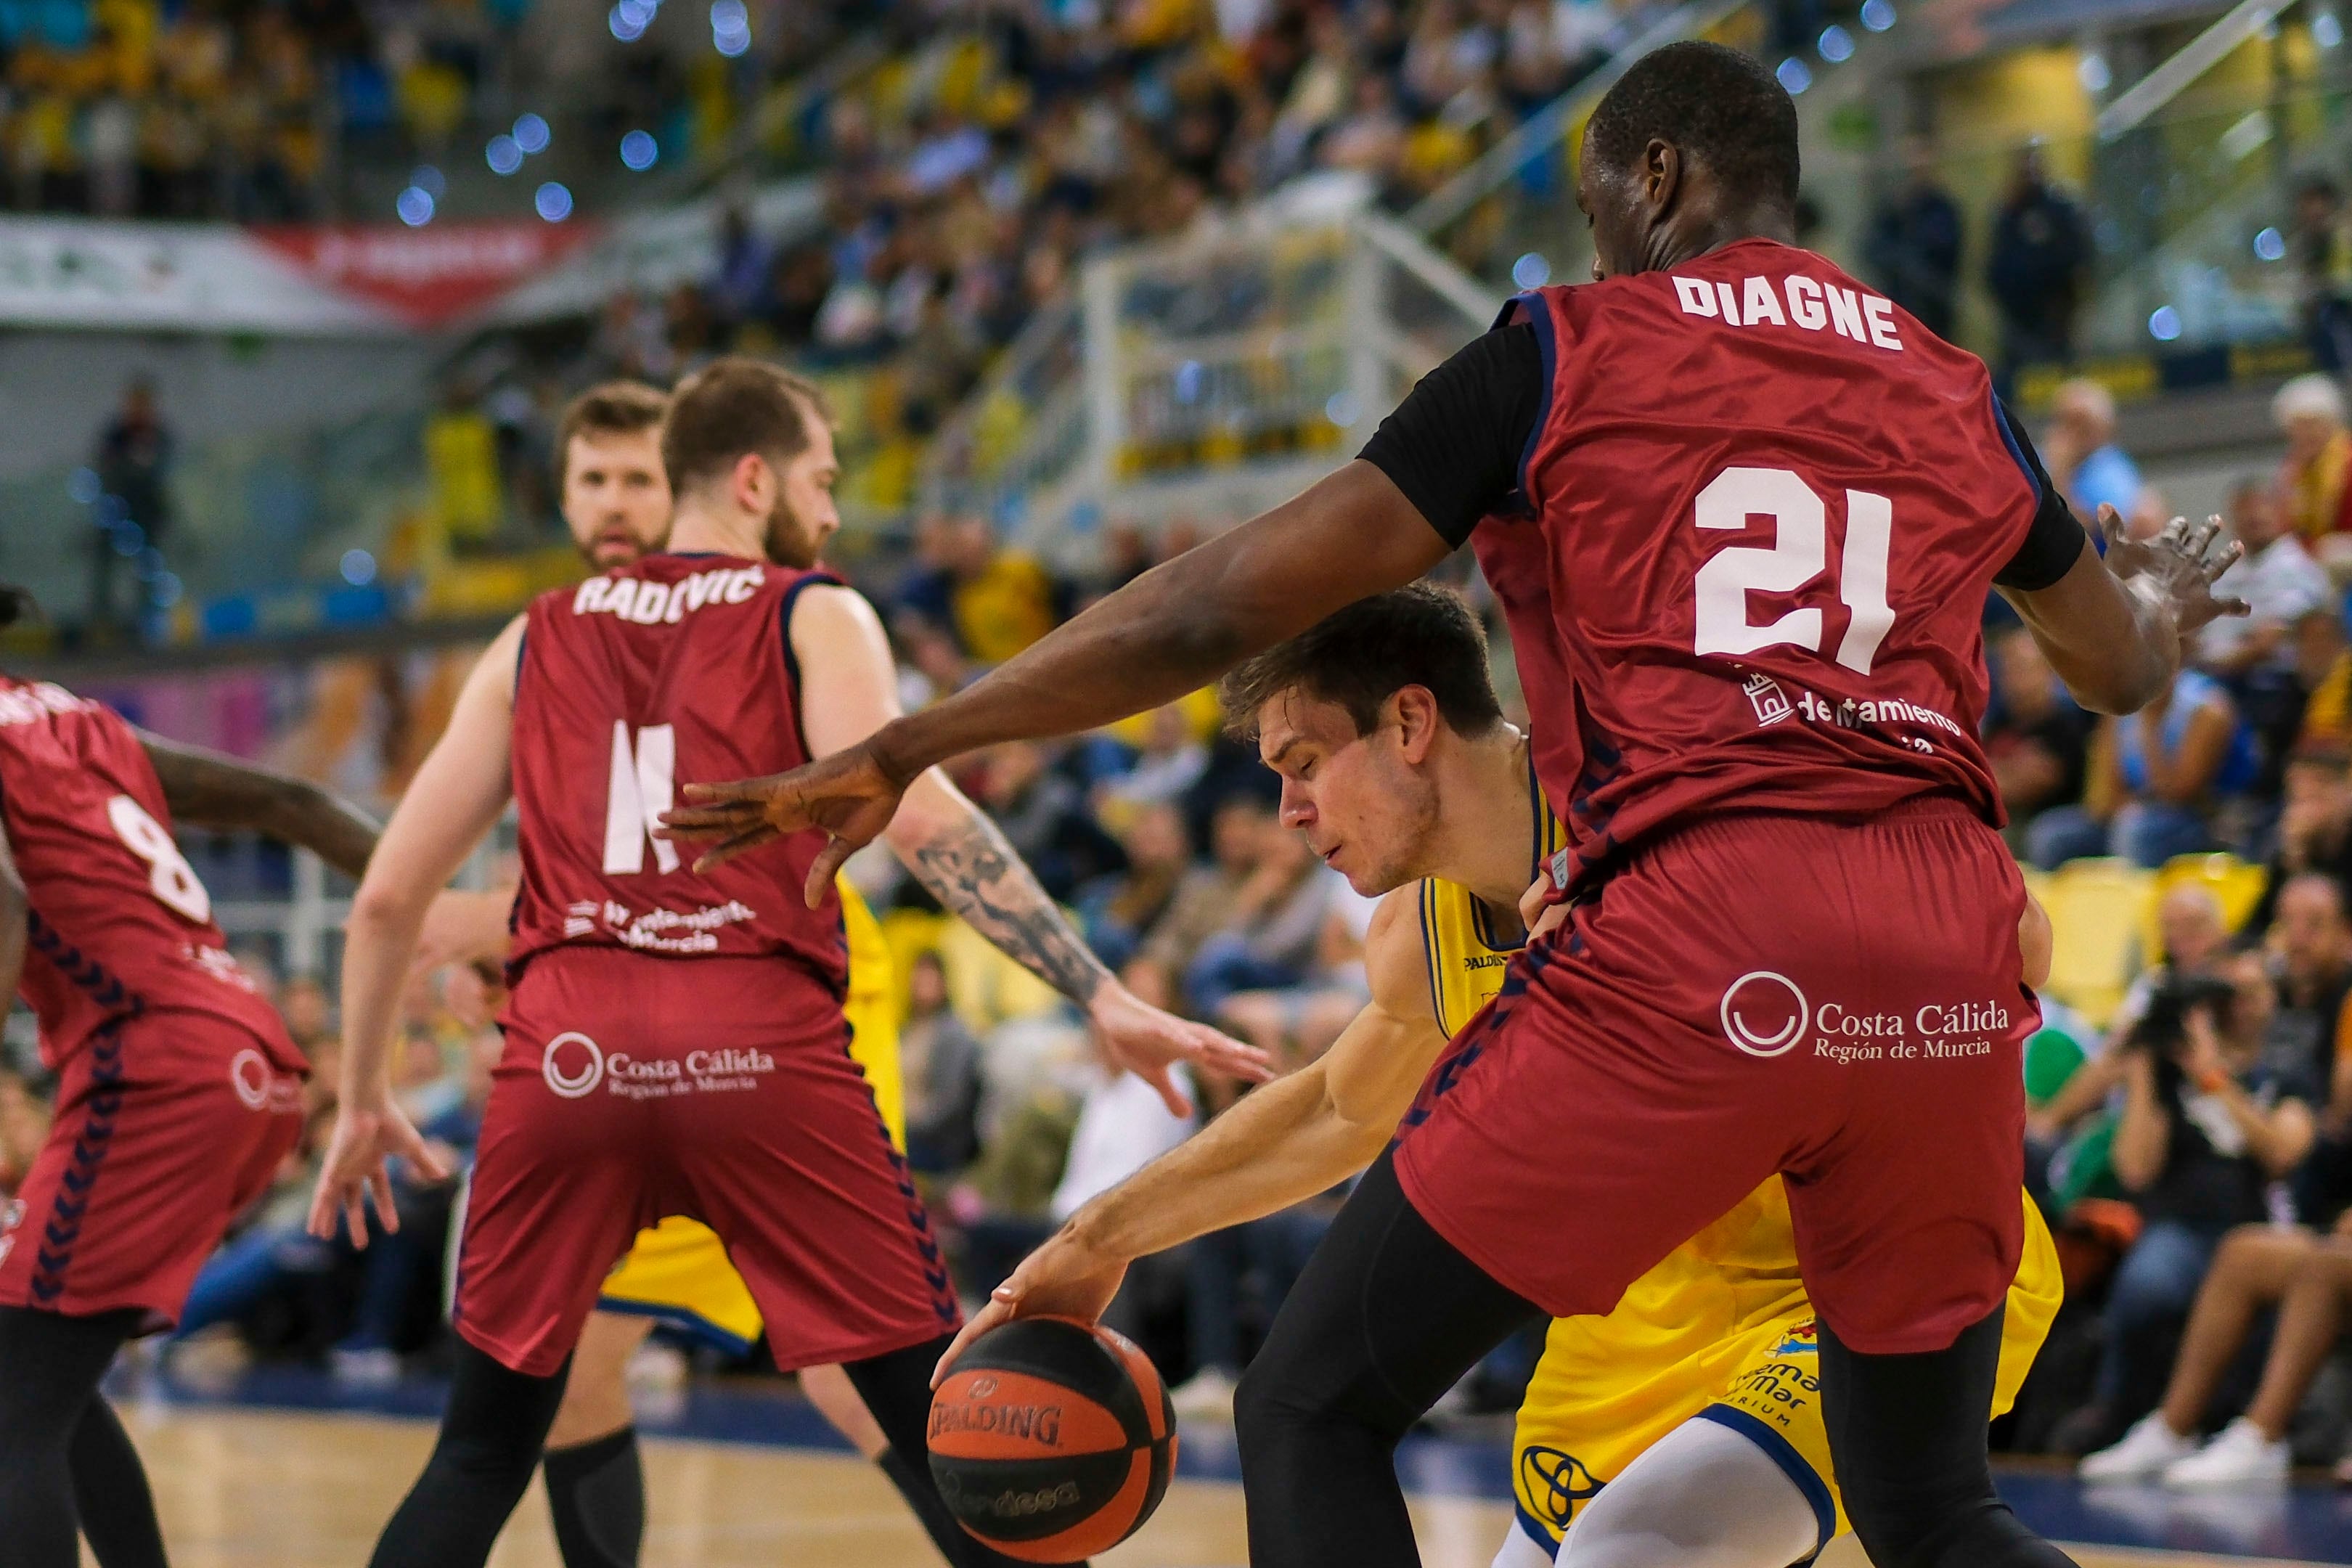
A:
(481, 1463)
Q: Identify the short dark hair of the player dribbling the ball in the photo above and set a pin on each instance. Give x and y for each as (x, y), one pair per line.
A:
(1417, 636)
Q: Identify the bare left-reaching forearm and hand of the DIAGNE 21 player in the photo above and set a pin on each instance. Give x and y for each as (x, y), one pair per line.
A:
(1168, 634)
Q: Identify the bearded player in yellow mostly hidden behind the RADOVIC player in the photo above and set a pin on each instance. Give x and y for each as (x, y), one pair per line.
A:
(617, 504)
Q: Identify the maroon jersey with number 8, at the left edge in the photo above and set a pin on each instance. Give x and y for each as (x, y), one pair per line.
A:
(121, 923)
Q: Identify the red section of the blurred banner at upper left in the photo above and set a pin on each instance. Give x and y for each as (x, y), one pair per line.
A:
(427, 276)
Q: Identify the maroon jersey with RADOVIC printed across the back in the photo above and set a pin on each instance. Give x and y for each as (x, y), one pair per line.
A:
(669, 671)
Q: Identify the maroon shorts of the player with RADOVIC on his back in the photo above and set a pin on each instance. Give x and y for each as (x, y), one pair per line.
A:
(721, 1090)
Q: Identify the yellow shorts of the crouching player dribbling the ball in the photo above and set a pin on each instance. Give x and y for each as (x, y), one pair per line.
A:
(1575, 1438)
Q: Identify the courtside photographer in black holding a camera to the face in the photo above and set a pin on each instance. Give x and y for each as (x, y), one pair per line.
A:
(2205, 1130)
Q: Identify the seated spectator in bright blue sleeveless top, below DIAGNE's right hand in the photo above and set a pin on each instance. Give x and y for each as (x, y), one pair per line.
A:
(2160, 772)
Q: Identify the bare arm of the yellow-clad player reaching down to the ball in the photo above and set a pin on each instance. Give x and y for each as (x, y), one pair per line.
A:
(1281, 1146)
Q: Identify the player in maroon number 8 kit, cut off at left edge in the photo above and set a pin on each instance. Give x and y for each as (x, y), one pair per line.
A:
(178, 1085)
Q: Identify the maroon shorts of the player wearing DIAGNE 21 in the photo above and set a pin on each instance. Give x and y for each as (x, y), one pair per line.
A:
(1838, 1003)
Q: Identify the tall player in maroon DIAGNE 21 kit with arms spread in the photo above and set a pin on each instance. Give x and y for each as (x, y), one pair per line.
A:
(1744, 516)
